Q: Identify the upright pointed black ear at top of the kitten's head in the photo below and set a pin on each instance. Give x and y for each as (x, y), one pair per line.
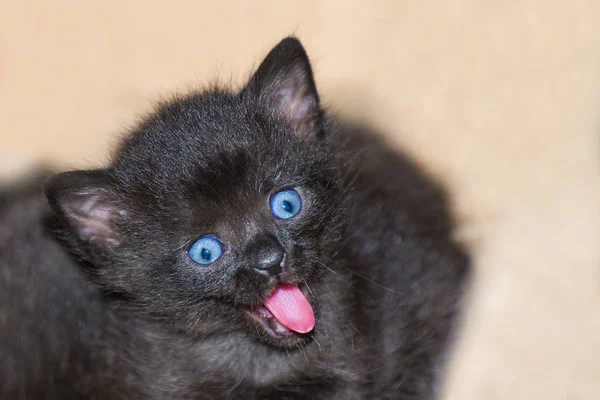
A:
(284, 82)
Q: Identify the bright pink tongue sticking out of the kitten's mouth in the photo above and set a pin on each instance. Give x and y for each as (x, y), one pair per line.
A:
(289, 306)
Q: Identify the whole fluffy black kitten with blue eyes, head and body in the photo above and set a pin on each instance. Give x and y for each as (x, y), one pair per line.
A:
(240, 245)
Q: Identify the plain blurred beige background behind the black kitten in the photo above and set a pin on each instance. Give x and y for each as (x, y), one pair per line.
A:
(501, 99)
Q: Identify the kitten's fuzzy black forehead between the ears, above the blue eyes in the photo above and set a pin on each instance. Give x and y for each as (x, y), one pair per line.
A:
(212, 144)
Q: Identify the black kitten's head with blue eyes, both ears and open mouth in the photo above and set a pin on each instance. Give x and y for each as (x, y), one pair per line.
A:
(217, 209)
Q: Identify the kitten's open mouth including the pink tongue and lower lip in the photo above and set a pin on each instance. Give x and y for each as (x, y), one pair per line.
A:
(285, 313)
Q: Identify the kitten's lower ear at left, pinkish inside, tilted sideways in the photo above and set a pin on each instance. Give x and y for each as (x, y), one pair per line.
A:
(87, 203)
